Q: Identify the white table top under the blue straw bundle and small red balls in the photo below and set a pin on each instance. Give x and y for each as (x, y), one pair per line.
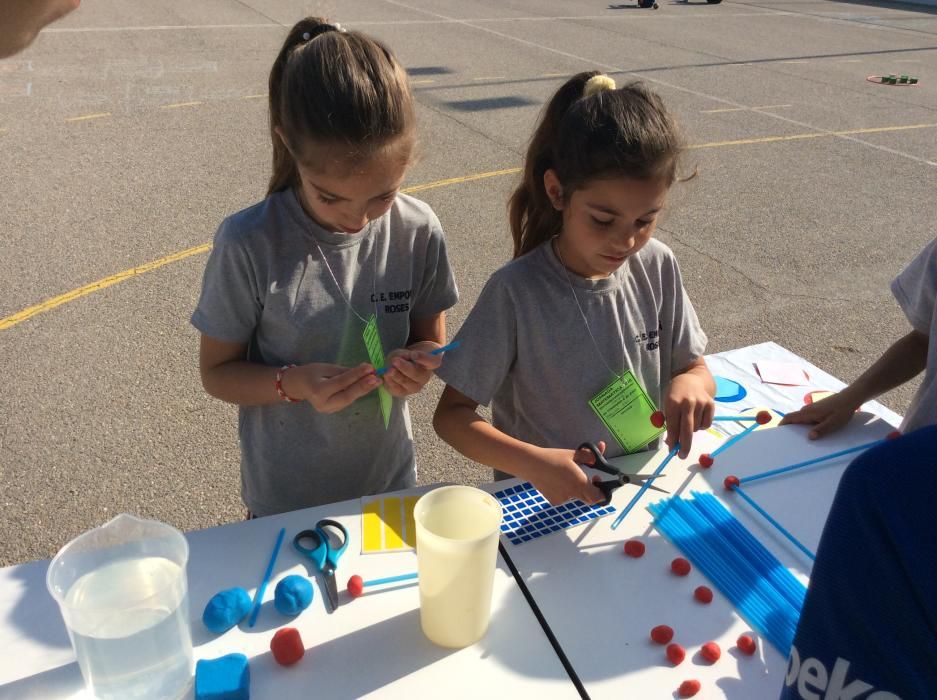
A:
(601, 605)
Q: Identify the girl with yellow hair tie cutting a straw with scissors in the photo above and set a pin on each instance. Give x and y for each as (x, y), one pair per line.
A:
(589, 328)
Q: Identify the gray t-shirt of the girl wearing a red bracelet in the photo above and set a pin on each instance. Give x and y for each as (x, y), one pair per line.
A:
(266, 285)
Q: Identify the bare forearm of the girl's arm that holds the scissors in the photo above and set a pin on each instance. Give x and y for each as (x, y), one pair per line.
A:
(477, 439)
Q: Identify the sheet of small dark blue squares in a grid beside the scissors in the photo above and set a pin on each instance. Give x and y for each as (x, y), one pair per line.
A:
(528, 515)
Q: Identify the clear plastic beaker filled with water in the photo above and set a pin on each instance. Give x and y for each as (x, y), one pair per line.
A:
(122, 591)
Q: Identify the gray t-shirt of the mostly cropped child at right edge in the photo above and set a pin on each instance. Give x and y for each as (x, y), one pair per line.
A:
(915, 288)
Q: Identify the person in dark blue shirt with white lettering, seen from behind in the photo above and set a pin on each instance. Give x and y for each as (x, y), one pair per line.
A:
(868, 629)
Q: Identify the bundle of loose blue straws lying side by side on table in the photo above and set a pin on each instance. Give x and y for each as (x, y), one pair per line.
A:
(763, 591)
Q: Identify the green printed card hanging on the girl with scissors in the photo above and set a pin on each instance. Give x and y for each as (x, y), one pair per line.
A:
(626, 410)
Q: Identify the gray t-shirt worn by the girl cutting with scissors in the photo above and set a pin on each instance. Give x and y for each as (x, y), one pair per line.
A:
(527, 351)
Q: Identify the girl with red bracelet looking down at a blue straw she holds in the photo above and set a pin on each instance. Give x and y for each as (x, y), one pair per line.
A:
(305, 291)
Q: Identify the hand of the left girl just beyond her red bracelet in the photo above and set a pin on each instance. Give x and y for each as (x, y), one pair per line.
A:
(329, 388)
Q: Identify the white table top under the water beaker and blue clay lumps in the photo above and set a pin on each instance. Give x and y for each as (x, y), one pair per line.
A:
(372, 645)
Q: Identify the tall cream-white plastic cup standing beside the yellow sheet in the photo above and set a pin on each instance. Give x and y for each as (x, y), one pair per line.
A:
(456, 550)
